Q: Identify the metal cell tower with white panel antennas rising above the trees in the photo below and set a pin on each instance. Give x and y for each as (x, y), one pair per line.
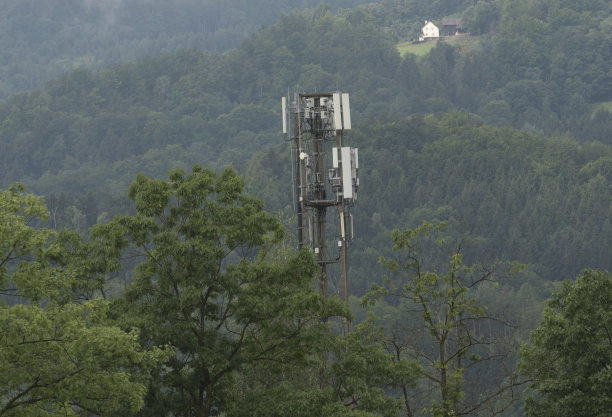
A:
(325, 176)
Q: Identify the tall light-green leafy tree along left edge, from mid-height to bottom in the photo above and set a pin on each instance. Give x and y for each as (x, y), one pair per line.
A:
(58, 357)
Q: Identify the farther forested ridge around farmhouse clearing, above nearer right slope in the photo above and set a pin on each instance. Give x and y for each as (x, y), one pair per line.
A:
(209, 110)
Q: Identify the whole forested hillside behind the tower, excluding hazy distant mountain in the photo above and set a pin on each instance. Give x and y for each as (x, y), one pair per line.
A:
(540, 201)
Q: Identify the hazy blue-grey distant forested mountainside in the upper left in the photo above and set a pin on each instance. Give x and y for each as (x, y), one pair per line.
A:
(41, 39)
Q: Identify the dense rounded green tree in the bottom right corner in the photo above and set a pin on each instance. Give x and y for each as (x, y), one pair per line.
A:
(569, 354)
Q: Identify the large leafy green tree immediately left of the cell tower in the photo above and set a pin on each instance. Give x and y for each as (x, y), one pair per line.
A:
(205, 287)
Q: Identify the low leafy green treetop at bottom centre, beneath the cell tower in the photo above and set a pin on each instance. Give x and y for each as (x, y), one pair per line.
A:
(356, 380)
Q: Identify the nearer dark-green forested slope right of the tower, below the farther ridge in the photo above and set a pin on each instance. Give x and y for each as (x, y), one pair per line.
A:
(519, 196)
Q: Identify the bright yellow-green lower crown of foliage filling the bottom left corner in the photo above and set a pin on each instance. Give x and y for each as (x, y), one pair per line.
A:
(65, 360)
